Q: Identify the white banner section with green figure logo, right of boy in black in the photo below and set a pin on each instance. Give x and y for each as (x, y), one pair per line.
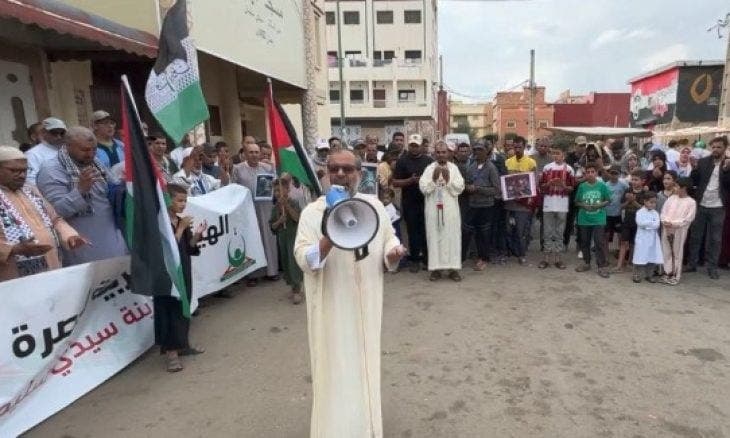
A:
(231, 246)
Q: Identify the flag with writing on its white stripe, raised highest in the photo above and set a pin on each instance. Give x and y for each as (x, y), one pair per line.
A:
(173, 91)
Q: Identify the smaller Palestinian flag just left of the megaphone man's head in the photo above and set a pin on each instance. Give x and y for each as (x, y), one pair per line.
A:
(289, 154)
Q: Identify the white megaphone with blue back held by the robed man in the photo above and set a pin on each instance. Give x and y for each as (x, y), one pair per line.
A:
(349, 223)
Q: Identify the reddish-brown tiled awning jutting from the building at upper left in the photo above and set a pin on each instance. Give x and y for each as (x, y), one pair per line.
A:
(65, 19)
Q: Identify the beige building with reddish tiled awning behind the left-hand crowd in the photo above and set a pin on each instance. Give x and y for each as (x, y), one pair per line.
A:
(66, 59)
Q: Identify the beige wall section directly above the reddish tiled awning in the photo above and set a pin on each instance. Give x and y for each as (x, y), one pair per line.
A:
(138, 14)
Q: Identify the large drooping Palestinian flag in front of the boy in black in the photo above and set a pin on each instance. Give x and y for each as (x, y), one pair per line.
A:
(156, 267)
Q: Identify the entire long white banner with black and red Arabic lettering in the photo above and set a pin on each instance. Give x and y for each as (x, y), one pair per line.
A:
(64, 332)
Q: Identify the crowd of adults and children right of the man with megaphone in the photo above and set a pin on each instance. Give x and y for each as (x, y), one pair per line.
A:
(662, 209)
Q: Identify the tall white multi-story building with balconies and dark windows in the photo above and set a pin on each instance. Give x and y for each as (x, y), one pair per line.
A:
(390, 64)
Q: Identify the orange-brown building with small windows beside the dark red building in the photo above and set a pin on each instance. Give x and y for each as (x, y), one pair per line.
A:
(511, 113)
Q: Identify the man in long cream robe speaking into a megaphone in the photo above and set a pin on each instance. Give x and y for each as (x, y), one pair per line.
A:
(344, 312)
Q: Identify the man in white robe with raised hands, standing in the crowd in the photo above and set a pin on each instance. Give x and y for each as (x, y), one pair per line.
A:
(441, 184)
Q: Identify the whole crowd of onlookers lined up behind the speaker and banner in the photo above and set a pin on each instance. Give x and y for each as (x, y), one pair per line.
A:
(662, 209)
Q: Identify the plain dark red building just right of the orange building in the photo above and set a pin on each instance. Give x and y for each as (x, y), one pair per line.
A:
(594, 109)
